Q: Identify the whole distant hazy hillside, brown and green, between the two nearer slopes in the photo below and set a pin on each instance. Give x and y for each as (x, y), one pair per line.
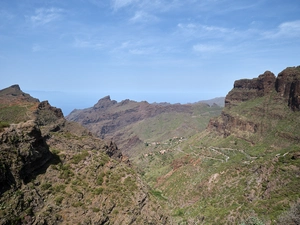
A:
(132, 124)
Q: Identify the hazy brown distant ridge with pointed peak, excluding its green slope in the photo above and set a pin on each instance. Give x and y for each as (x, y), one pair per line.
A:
(108, 116)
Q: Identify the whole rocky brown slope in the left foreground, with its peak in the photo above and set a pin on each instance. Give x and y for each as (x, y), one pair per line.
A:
(56, 172)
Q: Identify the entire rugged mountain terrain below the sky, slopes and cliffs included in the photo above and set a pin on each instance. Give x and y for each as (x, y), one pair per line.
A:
(139, 163)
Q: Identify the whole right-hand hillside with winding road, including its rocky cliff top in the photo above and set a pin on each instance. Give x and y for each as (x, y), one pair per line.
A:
(244, 167)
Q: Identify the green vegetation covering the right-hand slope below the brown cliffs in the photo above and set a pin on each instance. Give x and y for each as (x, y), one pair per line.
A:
(241, 173)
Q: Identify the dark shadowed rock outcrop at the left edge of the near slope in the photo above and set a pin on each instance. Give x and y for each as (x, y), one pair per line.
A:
(23, 152)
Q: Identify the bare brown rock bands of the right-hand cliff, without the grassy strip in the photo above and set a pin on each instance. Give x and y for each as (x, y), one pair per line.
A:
(285, 89)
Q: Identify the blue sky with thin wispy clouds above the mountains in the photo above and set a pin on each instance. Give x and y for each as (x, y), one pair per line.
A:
(74, 52)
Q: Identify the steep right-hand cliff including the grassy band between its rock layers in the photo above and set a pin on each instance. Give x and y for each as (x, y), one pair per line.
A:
(252, 104)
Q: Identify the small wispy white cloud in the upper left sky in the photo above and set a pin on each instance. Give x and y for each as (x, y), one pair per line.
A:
(46, 15)
